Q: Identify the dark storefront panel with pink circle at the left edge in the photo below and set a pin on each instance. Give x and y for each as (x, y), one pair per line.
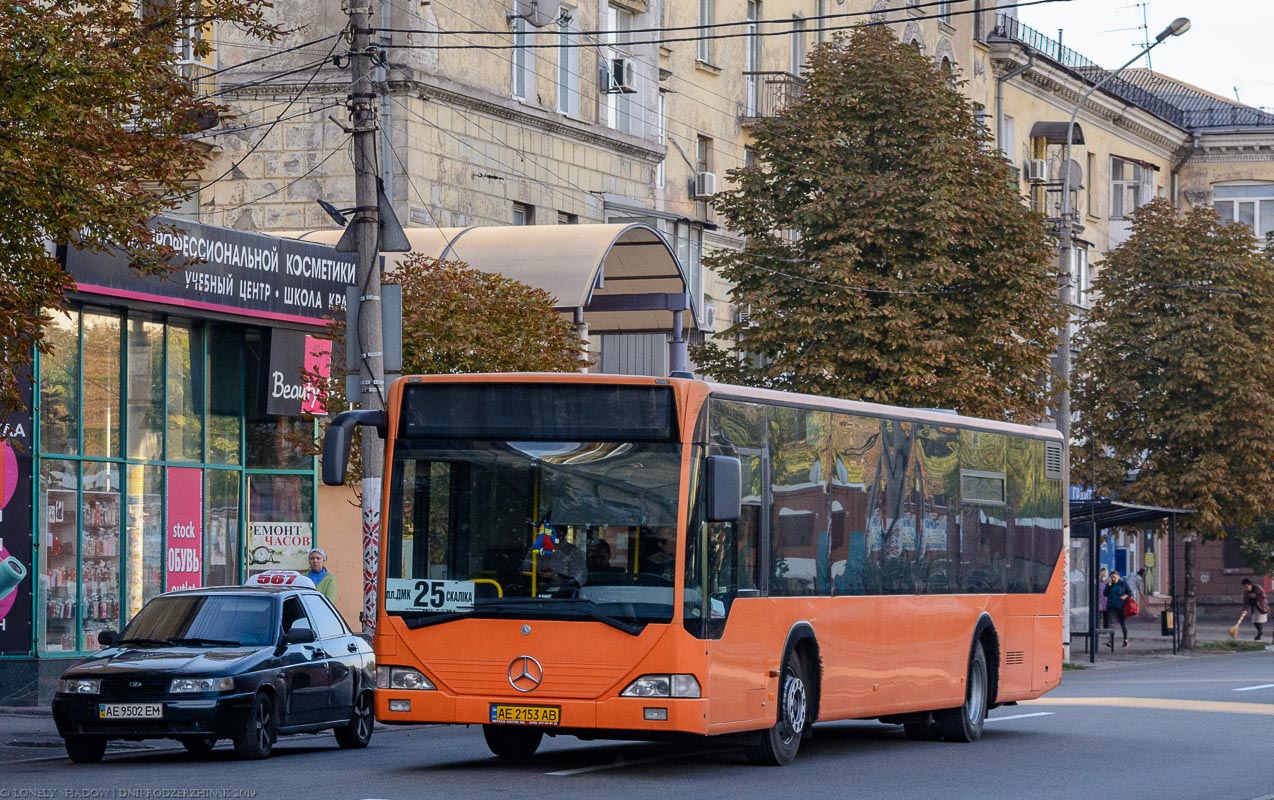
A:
(16, 524)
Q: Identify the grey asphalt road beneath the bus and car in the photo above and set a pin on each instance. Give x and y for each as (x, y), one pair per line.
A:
(1185, 729)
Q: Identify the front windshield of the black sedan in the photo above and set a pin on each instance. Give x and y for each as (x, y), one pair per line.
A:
(210, 621)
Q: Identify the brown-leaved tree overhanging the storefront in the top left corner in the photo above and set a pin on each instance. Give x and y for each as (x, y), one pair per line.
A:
(94, 124)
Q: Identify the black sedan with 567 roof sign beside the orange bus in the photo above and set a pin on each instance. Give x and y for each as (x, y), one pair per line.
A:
(244, 664)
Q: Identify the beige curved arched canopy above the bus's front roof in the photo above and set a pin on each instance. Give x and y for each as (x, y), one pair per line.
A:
(624, 277)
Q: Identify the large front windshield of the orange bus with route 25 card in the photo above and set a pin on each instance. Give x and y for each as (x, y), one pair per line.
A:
(533, 529)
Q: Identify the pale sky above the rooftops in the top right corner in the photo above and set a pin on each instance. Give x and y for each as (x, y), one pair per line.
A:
(1227, 46)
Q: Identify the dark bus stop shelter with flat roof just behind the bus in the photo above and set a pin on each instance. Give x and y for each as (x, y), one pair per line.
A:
(1091, 515)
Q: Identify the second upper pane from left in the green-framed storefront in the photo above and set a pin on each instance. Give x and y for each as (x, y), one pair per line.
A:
(103, 385)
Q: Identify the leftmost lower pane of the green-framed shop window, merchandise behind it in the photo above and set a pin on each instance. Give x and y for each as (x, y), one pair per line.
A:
(59, 546)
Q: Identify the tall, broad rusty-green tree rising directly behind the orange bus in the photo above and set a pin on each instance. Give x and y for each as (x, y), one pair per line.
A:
(889, 255)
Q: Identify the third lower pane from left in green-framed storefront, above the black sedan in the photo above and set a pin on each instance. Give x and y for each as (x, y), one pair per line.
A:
(145, 546)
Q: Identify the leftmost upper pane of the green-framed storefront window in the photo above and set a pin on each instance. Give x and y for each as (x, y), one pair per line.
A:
(61, 387)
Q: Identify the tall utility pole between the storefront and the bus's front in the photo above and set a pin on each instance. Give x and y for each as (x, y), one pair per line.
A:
(369, 339)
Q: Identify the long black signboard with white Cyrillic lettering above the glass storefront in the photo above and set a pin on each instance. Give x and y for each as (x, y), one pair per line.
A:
(227, 271)
